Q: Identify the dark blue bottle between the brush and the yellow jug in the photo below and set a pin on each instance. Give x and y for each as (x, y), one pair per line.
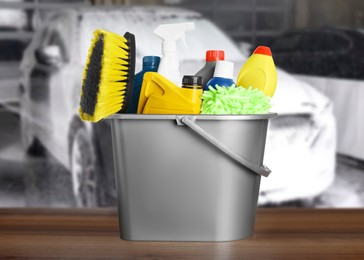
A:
(150, 63)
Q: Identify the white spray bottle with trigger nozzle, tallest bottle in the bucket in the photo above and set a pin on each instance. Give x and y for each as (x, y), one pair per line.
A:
(170, 33)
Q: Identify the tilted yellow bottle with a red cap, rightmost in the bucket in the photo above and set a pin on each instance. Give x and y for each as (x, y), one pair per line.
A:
(259, 72)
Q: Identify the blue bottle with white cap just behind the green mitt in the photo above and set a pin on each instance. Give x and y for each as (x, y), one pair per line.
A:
(223, 75)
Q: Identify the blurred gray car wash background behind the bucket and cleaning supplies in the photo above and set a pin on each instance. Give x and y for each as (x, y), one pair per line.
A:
(49, 158)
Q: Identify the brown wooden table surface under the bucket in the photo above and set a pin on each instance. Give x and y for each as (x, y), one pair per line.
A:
(93, 233)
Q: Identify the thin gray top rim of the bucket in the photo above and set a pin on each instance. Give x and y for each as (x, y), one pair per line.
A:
(195, 117)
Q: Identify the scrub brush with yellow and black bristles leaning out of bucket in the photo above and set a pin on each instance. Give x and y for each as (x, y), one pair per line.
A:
(108, 77)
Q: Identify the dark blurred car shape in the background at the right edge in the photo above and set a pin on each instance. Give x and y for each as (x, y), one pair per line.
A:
(325, 52)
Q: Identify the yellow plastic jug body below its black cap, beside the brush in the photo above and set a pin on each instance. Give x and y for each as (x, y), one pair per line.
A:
(161, 96)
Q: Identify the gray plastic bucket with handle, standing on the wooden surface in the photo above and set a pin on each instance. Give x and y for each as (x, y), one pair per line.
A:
(188, 178)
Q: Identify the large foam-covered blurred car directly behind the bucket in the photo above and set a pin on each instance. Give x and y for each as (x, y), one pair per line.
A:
(52, 72)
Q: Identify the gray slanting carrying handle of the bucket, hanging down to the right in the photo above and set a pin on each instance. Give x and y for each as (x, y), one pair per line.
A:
(260, 170)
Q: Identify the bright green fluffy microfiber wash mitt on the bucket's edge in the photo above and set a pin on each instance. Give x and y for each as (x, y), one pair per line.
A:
(234, 100)
